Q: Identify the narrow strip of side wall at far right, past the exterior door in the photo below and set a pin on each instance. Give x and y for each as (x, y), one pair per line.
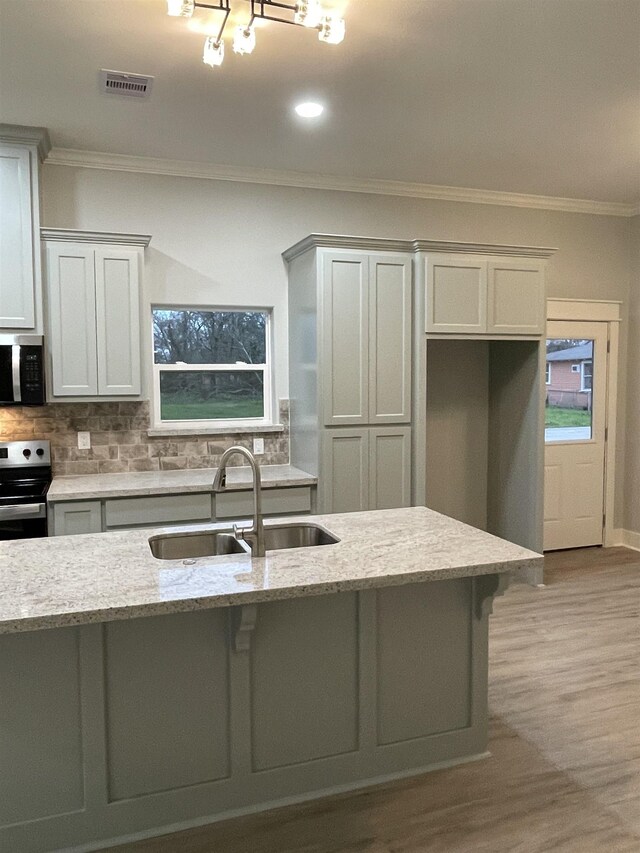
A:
(631, 521)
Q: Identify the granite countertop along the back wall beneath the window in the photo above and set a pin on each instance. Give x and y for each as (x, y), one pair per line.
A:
(138, 483)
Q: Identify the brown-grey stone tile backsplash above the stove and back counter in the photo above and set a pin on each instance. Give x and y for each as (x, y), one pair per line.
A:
(120, 441)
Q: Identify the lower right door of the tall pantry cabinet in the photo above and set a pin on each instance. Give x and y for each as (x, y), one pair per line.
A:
(389, 467)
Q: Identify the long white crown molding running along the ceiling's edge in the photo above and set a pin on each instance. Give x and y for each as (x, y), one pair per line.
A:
(374, 186)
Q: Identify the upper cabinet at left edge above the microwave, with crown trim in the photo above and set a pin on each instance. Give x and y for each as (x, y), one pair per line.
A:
(21, 151)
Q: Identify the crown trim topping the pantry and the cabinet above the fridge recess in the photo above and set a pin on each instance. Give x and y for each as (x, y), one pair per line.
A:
(383, 244)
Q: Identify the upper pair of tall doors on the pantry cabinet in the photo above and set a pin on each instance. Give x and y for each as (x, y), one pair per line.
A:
(366, 338)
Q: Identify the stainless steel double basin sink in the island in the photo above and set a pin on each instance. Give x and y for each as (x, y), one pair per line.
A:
(216, 543)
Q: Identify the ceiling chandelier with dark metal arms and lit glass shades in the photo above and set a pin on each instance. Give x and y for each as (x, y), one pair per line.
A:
(304, 13)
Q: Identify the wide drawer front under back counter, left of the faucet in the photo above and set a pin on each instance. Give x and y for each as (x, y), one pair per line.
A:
(162, 509)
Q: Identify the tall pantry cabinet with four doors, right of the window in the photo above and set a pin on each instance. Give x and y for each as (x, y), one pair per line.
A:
(350, 328)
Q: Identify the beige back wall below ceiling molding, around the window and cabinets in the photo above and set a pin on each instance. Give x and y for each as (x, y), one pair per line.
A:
(219, 243)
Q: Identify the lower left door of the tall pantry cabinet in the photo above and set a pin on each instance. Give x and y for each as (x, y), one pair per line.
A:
(344, 480)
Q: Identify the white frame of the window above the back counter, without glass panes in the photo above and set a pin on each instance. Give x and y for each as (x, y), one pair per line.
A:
(215, 425)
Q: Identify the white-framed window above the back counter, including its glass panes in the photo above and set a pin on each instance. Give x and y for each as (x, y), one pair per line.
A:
(211, 368)
